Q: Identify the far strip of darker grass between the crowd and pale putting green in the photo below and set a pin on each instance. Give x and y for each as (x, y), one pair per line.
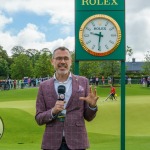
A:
(102, 91)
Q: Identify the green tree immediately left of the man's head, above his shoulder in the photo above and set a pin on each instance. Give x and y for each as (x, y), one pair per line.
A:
(43, 67)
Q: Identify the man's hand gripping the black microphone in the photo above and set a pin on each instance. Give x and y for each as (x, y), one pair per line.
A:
(59, 106)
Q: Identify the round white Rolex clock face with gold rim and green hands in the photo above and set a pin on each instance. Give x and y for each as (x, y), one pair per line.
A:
(100, 35)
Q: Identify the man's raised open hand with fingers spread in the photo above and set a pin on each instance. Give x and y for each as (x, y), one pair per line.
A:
(92, 97)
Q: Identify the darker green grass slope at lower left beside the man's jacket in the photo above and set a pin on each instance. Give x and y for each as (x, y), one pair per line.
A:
(20, 130)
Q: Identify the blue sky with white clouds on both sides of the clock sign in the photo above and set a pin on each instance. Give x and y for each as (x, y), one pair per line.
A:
(35, 24)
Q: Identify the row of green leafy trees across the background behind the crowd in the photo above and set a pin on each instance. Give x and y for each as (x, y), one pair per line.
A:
(38, 61)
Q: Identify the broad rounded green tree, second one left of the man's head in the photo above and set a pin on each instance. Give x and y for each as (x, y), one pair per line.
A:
(22, 67)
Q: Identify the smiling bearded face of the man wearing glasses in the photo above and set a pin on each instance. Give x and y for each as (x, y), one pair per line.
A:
(62, 62)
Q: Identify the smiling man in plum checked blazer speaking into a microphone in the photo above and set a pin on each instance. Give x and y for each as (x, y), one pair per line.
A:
(80, 101)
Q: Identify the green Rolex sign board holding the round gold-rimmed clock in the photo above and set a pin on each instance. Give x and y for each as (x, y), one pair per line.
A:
(99, 30)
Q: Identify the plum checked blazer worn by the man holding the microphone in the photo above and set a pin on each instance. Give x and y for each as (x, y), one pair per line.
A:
(77, 111)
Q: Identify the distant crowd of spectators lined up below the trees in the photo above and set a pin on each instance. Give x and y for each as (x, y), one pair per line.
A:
(34, 82)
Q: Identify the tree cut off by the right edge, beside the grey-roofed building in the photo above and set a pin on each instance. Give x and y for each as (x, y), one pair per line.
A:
(146, 65)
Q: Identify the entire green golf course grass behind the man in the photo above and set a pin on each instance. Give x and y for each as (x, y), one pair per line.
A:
(21, 132)
